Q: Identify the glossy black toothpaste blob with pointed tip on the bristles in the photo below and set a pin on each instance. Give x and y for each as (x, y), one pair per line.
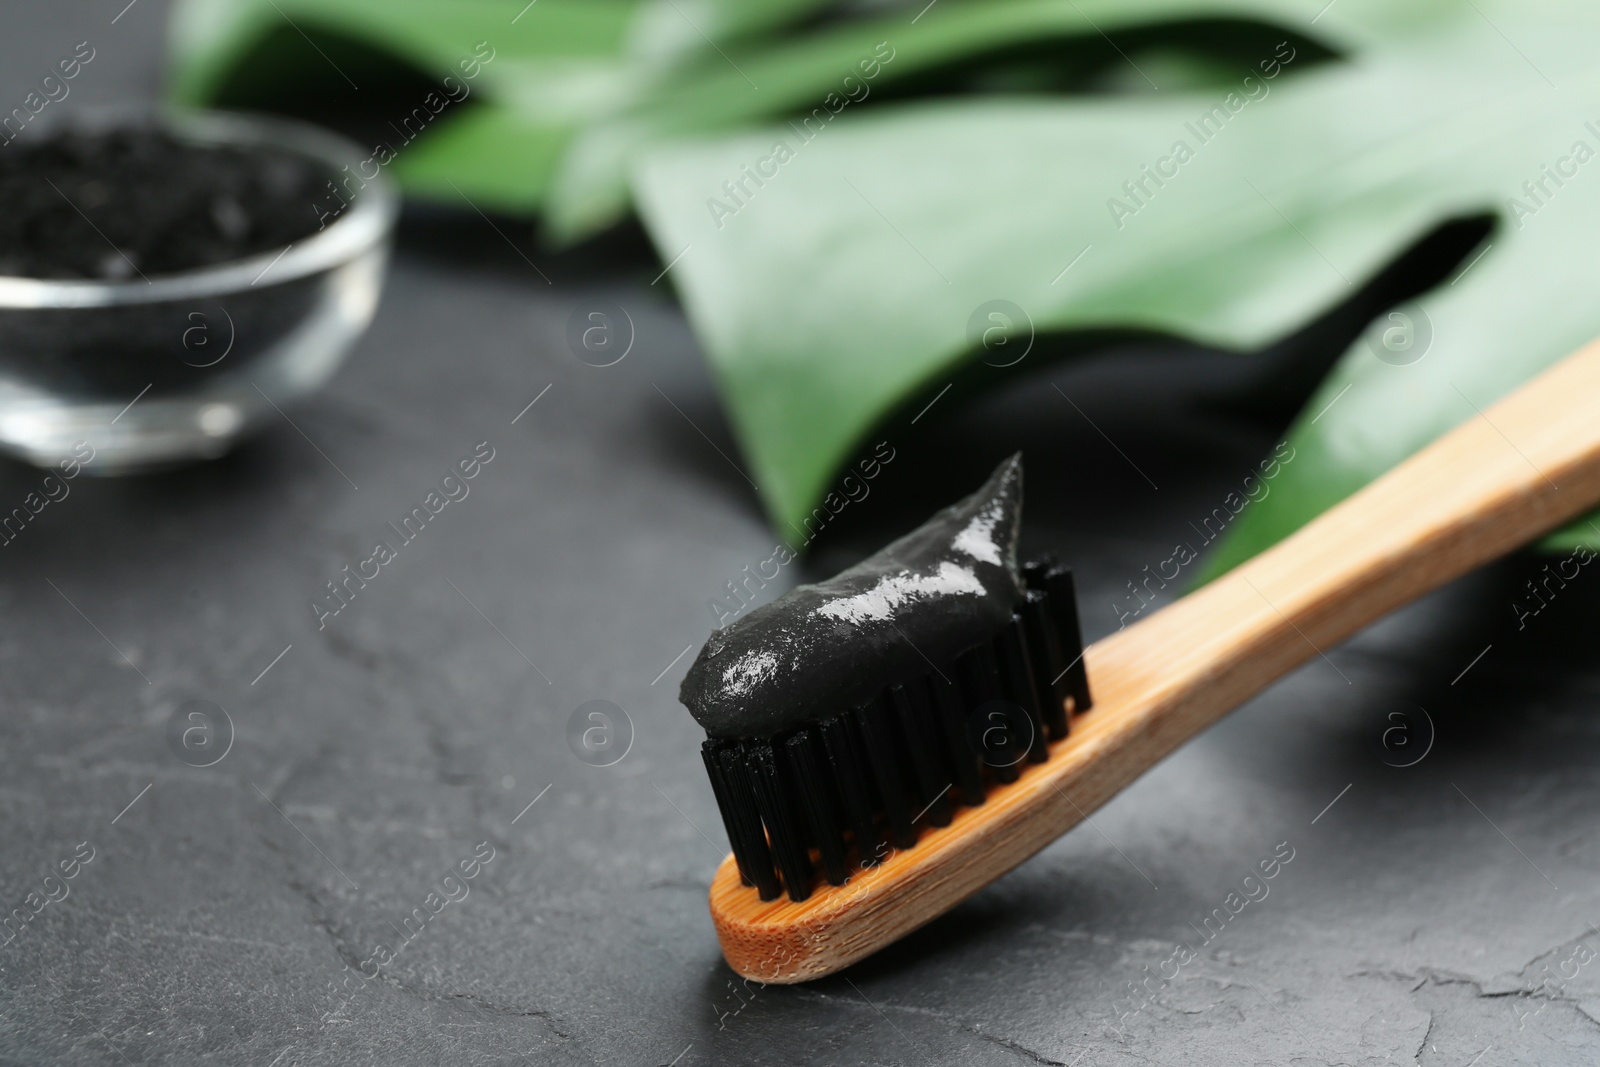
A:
(818, 650)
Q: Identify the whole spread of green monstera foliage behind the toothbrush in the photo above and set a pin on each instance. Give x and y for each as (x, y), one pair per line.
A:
(854, 194)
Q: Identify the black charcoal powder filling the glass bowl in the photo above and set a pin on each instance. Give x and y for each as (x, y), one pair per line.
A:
(134, 202)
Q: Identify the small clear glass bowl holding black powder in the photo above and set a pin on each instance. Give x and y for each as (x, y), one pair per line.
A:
(145, 375)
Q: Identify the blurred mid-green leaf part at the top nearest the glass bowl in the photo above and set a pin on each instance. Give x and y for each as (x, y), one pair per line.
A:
(553, 68)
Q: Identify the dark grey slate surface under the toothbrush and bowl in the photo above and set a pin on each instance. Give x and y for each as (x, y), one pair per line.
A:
(1428, 916)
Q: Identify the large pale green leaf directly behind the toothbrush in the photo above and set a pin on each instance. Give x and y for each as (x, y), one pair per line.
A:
(842, 287)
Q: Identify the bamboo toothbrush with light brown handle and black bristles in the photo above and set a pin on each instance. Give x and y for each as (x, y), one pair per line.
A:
(1503, 478)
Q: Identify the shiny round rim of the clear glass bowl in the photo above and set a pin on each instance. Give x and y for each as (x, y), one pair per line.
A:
(367, 223)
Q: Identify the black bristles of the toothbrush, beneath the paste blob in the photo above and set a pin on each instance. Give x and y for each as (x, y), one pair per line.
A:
(910, 757)
